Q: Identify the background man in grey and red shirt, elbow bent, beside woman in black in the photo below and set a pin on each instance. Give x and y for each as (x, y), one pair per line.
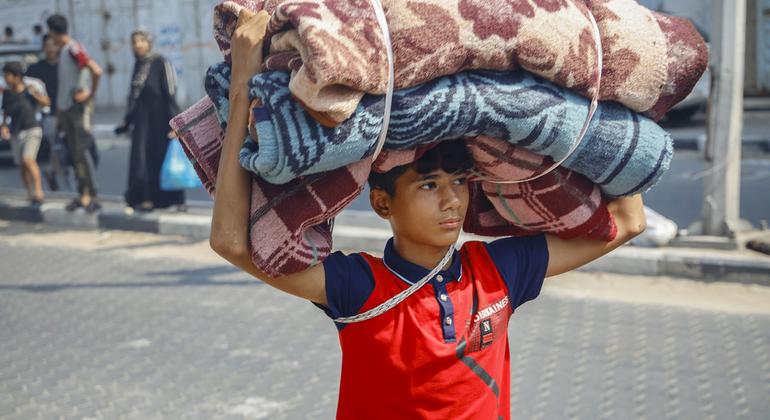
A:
(72, 100)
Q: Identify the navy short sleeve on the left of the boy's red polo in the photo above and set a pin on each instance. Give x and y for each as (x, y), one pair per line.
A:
(349, 282)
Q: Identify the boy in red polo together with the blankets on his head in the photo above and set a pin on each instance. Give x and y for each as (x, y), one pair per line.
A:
(423, 330)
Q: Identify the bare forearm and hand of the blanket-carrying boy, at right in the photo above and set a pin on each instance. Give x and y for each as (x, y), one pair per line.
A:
(567, 255)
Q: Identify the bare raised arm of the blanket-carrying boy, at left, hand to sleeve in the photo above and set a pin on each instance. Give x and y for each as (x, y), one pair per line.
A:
(230, 221)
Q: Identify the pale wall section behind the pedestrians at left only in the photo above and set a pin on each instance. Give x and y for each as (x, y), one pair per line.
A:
(182, 30)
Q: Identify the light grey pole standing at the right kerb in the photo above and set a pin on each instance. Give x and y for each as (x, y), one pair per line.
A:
(721, 204)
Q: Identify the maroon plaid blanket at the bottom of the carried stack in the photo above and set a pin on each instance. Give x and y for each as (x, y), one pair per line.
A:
(290, 227)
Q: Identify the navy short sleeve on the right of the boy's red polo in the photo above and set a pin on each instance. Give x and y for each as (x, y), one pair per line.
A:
(521, 262)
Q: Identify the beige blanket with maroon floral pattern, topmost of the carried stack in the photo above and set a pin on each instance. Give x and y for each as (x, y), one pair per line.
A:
(335, 47)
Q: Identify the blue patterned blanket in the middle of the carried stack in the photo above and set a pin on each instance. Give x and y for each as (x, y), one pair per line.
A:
(622, 152)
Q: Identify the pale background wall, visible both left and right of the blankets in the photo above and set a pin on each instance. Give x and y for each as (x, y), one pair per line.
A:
(183, 33)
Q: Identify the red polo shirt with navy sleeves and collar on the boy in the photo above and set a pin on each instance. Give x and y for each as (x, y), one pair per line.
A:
(443, 352)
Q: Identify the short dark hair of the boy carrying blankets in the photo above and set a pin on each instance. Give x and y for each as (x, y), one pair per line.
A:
(451, 156)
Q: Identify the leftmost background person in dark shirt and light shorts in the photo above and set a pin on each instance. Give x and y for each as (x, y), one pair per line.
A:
(19, 106)
